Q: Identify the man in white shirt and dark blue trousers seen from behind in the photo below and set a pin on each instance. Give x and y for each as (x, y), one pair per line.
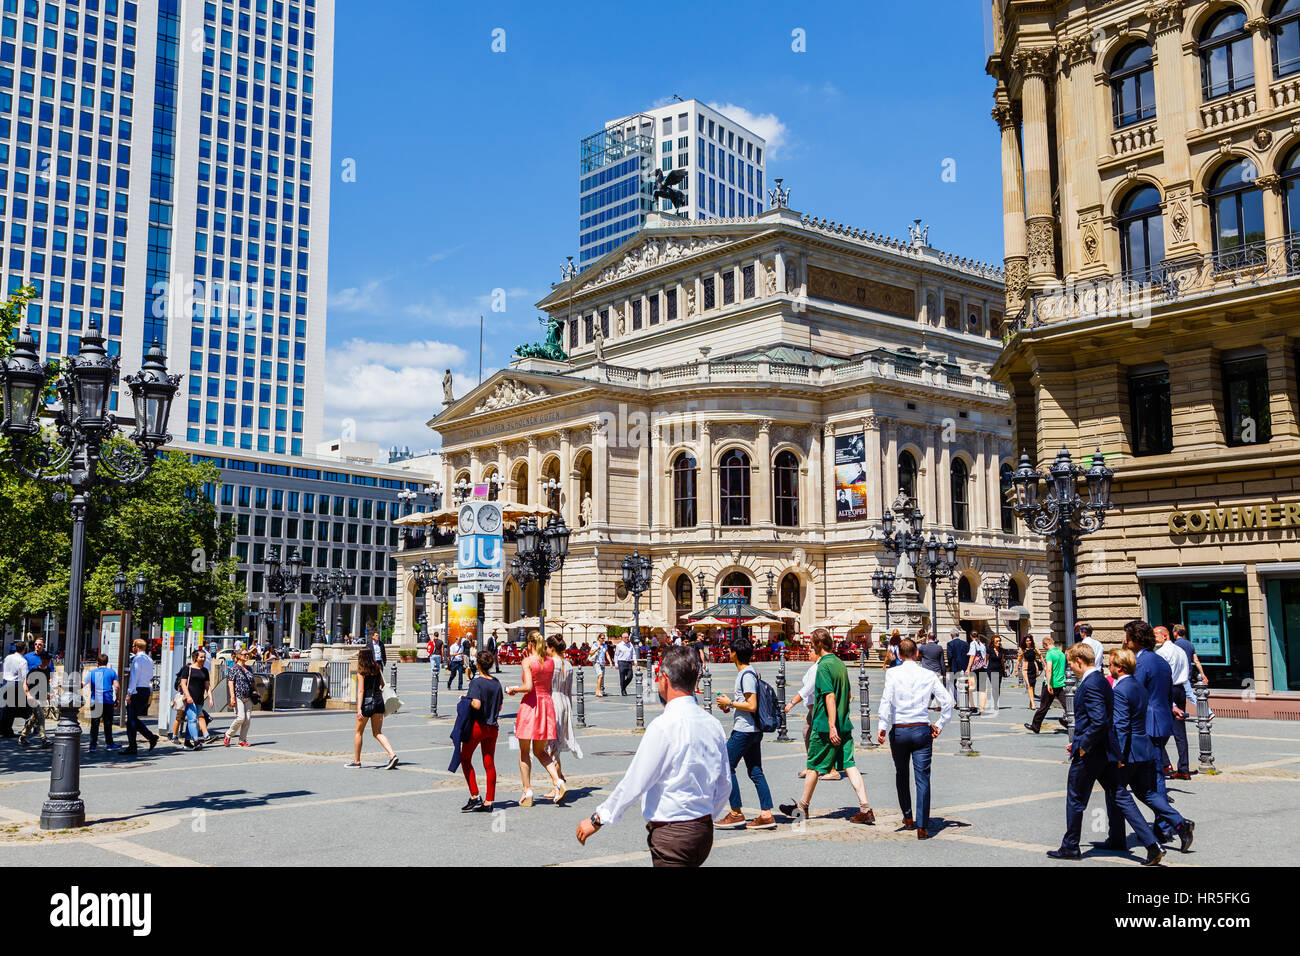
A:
(905, 719)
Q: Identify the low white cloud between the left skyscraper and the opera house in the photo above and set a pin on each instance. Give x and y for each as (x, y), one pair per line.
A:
(392, 390)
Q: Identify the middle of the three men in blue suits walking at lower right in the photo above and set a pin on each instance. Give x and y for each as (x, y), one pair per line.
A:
(1132, 754)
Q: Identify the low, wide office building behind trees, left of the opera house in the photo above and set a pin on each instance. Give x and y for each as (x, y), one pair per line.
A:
(337, 513)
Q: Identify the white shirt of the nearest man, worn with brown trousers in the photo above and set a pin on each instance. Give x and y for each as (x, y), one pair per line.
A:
(681, 771)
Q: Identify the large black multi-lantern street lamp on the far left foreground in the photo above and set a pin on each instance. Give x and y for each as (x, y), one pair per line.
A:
(80, 458)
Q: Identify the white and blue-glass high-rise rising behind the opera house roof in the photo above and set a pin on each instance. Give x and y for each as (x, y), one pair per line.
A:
(723, 162)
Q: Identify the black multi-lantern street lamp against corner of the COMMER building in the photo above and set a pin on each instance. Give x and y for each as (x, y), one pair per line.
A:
(1064, 516)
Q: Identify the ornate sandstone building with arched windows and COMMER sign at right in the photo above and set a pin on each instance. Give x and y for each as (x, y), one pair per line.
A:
(1154, 296)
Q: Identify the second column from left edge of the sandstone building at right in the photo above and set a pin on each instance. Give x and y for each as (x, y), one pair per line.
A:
(1039, 228)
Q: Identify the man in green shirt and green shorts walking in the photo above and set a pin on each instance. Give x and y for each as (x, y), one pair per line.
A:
(831, 741)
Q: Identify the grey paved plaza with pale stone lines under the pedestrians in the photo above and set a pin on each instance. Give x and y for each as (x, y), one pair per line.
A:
(288, 801)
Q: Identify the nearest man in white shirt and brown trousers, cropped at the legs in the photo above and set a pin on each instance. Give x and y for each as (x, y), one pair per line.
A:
(681, 772)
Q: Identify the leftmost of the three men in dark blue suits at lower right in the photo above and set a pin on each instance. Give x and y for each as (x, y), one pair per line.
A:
(1089, 754)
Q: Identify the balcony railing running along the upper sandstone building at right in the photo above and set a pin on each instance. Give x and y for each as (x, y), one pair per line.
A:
(1136, 295)
